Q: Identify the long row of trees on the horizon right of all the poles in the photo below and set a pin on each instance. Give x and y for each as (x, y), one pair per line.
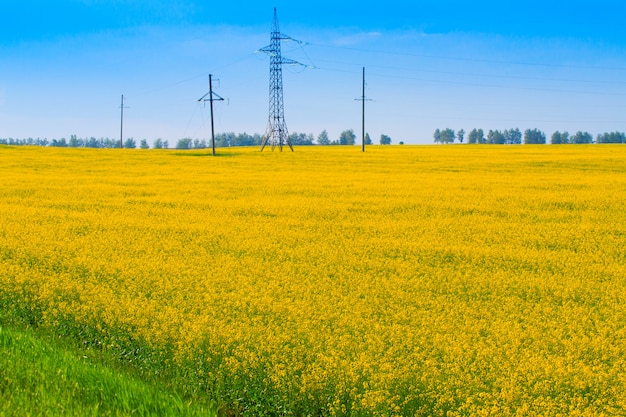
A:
(530, 136)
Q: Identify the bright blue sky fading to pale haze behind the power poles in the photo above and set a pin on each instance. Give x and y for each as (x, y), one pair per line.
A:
(429, 64)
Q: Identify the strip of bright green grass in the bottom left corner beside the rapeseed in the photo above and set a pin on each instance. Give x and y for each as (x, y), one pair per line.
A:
(41, 377)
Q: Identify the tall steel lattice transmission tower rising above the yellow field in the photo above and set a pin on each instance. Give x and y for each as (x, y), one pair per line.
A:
(276, 133)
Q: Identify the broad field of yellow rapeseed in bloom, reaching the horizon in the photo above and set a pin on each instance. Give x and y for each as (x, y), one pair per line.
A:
(407, 280)
